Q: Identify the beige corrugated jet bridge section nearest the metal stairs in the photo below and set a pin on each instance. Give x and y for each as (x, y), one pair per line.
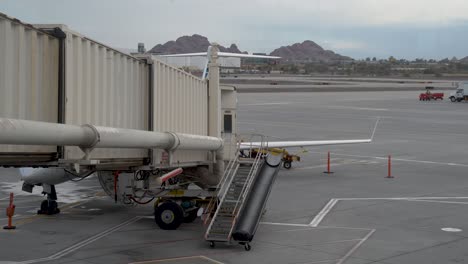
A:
(180, 105)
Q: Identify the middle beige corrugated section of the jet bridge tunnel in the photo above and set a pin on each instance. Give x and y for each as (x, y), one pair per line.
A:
(106, 88)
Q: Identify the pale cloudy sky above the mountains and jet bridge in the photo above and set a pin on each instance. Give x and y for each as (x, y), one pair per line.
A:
(357, 28)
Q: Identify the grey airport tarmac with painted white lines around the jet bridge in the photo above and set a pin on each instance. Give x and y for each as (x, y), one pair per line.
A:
(356, 215)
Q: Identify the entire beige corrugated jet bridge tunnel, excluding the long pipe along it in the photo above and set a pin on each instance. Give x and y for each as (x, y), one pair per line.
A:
(53, 74)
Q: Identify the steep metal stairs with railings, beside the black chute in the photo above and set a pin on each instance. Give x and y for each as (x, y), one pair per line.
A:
(232, 193)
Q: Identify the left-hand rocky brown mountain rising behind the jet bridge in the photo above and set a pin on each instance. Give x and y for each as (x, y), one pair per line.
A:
(188, 44)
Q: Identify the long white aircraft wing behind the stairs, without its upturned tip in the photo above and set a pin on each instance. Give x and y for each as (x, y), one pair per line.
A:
(289, 144)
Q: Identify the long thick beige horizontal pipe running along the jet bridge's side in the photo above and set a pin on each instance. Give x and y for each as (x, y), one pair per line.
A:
(25, 132)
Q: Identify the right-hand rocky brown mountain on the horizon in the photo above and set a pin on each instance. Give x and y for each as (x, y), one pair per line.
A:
(307, 51)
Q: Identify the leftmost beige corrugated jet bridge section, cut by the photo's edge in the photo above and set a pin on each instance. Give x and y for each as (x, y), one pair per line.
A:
(28, 77)
